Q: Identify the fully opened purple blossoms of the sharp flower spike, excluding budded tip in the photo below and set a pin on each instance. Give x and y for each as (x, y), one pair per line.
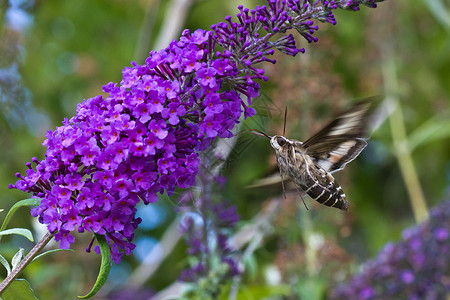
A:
(140, 140)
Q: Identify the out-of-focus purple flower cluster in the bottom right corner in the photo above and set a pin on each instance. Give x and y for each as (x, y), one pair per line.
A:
(418, 267)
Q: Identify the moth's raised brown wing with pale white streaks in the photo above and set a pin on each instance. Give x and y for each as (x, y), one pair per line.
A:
(343, 139)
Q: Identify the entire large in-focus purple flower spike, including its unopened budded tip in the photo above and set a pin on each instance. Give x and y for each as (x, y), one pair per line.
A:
(144, 137)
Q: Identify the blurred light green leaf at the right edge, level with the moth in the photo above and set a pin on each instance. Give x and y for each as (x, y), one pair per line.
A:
(435, 128)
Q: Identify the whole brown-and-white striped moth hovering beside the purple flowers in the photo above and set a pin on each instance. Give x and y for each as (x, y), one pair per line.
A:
(309, 164)
